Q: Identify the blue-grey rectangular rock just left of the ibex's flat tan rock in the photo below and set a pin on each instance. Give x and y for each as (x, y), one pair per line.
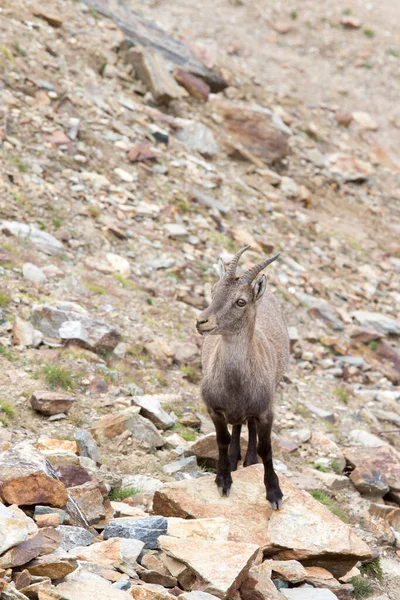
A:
(146, 529)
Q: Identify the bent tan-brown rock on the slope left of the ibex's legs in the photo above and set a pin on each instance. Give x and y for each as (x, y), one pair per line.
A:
(129, 419)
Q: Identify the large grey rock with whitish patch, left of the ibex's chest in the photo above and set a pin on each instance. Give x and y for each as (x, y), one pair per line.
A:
(63, 322)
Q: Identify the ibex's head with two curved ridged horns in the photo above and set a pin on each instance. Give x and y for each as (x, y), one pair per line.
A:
(234, 299)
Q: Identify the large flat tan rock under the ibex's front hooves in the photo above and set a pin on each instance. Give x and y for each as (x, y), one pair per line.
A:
(303, 529)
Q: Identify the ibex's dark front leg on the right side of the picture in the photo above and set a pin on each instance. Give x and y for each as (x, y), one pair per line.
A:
(264, 449)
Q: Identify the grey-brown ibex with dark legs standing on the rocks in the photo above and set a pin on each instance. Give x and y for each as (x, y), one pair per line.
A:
(243, 359)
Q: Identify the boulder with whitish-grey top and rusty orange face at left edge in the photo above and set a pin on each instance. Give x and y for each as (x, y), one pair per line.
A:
(27, 478)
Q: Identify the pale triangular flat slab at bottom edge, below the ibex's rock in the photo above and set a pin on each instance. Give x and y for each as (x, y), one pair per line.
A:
(221, 565)
